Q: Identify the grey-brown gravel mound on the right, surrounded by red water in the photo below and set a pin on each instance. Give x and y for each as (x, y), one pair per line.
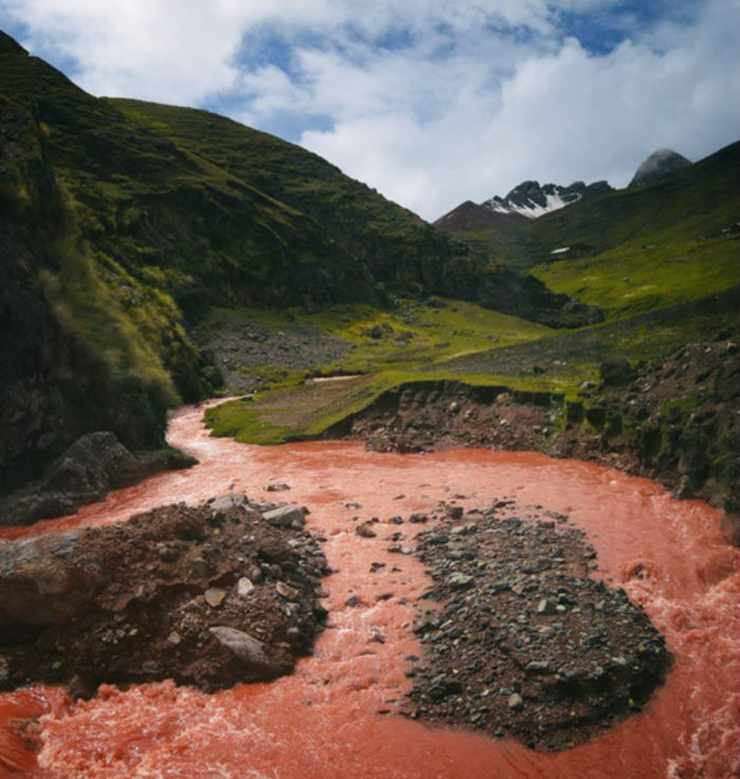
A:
(519, 640)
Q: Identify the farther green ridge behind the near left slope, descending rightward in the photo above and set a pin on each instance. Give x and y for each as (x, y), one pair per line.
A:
(395, 249)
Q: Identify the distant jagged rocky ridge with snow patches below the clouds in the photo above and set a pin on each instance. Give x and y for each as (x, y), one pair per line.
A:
(528, 200)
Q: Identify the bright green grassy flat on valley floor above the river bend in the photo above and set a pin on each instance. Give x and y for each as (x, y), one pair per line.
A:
(424, 336)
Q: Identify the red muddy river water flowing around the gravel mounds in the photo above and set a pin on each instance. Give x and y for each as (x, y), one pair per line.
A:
(323, 722)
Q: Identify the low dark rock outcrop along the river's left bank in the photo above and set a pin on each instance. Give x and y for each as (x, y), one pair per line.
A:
(93, 466)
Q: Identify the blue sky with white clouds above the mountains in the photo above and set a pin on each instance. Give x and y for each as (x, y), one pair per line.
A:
(432, 102)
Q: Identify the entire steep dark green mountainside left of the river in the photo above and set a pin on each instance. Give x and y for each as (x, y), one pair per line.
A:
(123, 223)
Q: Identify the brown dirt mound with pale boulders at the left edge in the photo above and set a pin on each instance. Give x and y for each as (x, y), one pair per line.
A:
(212, 596)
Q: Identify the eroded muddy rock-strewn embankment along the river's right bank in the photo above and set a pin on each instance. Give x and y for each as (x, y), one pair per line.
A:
(676, 421)
